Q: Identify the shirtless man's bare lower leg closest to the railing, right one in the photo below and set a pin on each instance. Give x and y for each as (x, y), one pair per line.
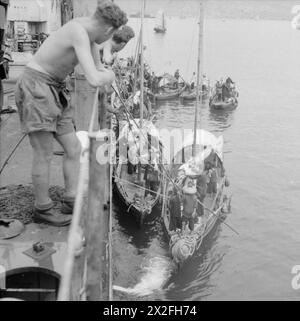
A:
(72, 149)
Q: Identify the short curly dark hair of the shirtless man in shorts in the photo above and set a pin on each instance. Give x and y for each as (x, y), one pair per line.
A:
(111, 13)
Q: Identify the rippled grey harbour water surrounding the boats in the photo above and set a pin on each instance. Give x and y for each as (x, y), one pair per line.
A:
(261, 158)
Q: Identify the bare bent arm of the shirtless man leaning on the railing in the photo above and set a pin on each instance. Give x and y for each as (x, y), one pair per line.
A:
(82, 47)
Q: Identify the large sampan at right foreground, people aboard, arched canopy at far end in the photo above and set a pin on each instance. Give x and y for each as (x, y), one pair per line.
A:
(205, 168)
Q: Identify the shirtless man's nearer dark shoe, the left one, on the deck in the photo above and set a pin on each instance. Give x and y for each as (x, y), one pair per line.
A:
(48, 215)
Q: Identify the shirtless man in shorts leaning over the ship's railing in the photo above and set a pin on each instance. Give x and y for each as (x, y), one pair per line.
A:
(44, 103)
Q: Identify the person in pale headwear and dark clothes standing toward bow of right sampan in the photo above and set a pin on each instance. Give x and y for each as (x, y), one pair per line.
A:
(190, 204)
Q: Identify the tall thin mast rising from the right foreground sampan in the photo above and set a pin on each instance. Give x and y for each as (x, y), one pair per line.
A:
(199, 76)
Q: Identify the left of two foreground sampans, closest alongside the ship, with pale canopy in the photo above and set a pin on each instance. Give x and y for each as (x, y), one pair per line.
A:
(137, 173)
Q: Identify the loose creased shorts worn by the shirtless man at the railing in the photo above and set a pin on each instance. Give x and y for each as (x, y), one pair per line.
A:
(43, 103)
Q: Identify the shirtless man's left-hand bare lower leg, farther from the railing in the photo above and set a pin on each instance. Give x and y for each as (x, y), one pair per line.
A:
(42, 144)
